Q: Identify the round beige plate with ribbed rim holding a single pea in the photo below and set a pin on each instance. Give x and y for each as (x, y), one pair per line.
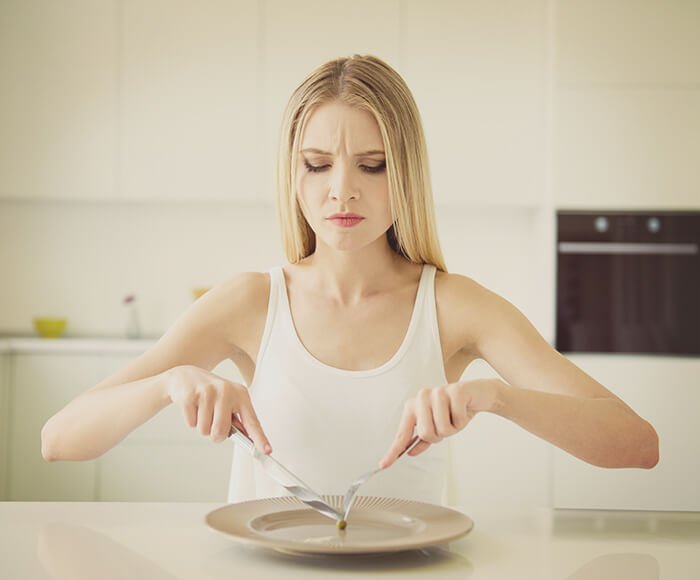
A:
(375, 524)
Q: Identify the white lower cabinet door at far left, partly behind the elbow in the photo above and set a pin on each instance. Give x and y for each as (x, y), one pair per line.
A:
(40, 385)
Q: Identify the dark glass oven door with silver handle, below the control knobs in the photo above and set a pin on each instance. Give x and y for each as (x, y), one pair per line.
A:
(628, 297)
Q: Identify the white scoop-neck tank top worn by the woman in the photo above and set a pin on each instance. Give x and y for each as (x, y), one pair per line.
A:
(330, 425)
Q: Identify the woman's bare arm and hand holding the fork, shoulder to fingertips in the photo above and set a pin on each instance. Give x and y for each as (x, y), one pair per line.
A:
(544, 392)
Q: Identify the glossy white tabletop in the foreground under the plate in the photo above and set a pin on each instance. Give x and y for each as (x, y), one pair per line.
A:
(169, 541)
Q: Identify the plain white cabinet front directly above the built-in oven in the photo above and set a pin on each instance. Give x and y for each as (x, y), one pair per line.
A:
(627, 105)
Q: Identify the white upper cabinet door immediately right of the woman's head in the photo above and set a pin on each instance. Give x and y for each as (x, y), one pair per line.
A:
(482, 93)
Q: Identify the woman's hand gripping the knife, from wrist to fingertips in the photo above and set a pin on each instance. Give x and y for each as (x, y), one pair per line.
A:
(211, 403)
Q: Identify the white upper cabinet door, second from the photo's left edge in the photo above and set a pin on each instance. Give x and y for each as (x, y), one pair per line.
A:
(189, 100)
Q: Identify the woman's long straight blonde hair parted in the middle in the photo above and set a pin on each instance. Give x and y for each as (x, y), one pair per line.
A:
(368, 83)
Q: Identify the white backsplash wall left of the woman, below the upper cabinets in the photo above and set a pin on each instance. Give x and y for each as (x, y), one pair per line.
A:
(80, 260)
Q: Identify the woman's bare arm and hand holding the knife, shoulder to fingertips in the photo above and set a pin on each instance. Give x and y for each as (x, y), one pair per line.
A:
(176, 369)
